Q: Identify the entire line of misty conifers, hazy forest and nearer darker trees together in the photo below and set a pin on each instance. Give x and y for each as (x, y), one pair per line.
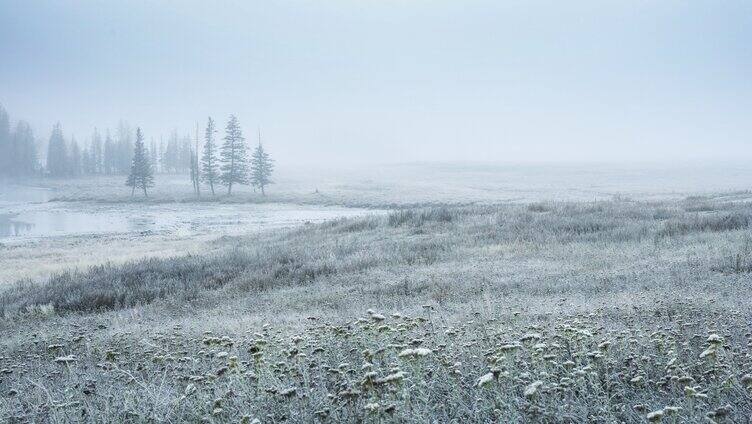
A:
(126, 153)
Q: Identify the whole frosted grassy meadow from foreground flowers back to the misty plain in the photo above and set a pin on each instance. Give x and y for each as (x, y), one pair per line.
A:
(547, 312)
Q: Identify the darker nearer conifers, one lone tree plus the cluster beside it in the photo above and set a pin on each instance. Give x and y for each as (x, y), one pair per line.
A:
(227, 165)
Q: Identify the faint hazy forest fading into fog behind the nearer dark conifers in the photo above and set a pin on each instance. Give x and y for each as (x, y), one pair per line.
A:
(102, 153)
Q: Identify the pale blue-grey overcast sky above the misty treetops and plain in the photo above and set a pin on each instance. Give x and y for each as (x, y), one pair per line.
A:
(395, 80)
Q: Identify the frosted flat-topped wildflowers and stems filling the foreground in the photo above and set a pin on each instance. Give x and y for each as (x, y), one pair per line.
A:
(687, 363)
